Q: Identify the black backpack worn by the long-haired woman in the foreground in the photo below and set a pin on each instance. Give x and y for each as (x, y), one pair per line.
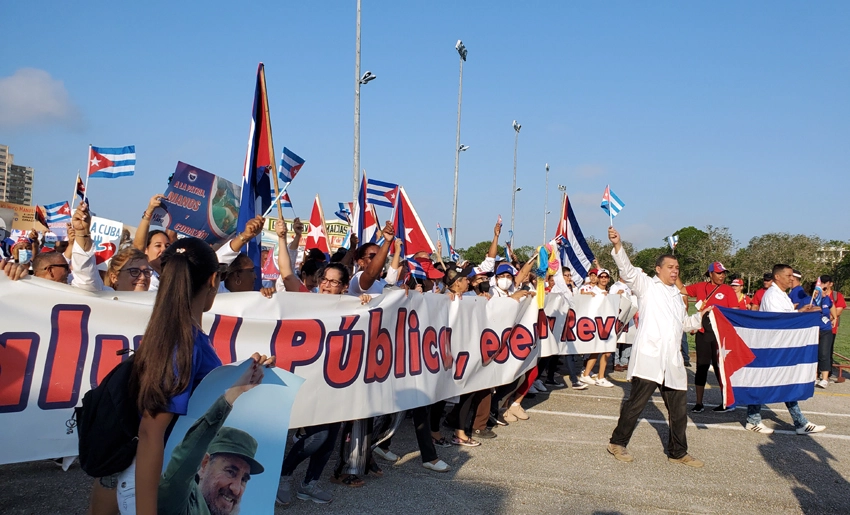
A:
(108, 424)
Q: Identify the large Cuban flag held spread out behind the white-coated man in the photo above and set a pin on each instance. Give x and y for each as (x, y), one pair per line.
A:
(784, 347)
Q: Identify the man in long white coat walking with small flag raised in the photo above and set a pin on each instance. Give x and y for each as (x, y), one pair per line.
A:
(656, 361)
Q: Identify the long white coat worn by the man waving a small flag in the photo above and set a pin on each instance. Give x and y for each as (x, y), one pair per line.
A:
(656, 354)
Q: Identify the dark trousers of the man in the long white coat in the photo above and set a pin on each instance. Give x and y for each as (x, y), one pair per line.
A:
(674, 400)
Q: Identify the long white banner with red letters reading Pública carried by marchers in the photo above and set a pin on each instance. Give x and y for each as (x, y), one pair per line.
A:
(393, 354)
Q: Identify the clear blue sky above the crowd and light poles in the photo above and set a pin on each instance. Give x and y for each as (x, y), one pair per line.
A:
(731, 114)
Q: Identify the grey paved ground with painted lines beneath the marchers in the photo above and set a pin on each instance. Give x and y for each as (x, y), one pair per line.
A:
(556, 463)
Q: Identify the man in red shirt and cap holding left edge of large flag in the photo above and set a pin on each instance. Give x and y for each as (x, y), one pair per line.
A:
(714, 292)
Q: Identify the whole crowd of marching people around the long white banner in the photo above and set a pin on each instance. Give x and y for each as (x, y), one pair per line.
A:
(187, 275)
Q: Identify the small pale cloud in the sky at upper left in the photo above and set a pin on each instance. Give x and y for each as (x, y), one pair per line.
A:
(31, 97)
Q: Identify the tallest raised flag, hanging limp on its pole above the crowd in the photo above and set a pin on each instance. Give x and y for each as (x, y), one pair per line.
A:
(257, 174)
